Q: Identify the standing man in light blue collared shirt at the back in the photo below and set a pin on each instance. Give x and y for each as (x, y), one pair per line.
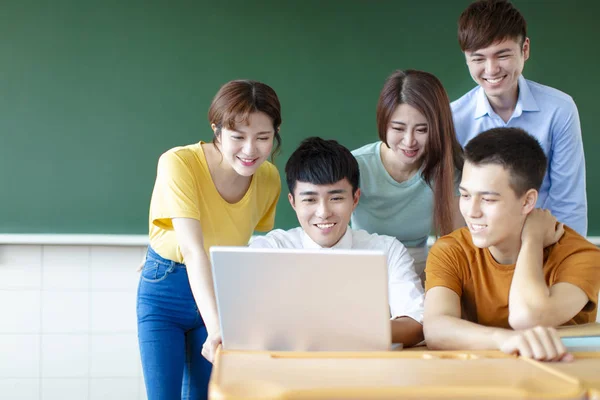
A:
(493, 36)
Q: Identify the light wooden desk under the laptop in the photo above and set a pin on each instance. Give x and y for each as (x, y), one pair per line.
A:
(415, 373)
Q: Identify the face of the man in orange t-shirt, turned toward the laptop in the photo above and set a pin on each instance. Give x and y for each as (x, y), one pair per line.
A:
(493, 212)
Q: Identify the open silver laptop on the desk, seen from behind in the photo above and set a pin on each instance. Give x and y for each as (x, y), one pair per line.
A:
(302, 300)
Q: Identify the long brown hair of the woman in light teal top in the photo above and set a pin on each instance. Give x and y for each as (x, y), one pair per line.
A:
(443, 154)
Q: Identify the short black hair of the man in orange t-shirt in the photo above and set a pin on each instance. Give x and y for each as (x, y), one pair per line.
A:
(514, 149)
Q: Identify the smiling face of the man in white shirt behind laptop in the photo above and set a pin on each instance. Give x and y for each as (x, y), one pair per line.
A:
(324, 210)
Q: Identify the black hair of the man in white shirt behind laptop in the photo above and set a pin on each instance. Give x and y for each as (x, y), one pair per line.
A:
(321, 162)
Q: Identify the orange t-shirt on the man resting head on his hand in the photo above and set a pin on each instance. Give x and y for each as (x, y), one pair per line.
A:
(483, 284)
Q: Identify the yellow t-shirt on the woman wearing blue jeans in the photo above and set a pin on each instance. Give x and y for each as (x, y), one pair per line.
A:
(184, 189)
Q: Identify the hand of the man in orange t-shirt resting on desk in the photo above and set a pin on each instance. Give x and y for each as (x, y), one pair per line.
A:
(540, 343)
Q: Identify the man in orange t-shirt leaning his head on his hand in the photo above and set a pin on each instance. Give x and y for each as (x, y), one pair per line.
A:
(513, 266)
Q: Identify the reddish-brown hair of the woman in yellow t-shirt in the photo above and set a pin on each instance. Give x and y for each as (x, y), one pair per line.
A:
(236, 100)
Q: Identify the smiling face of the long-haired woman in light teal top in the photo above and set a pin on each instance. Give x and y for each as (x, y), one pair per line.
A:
(407, 135)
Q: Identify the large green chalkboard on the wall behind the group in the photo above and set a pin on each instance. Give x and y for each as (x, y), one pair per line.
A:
(92, 92)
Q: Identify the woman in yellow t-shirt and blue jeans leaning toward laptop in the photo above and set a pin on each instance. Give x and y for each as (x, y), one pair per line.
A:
(205, 194)
